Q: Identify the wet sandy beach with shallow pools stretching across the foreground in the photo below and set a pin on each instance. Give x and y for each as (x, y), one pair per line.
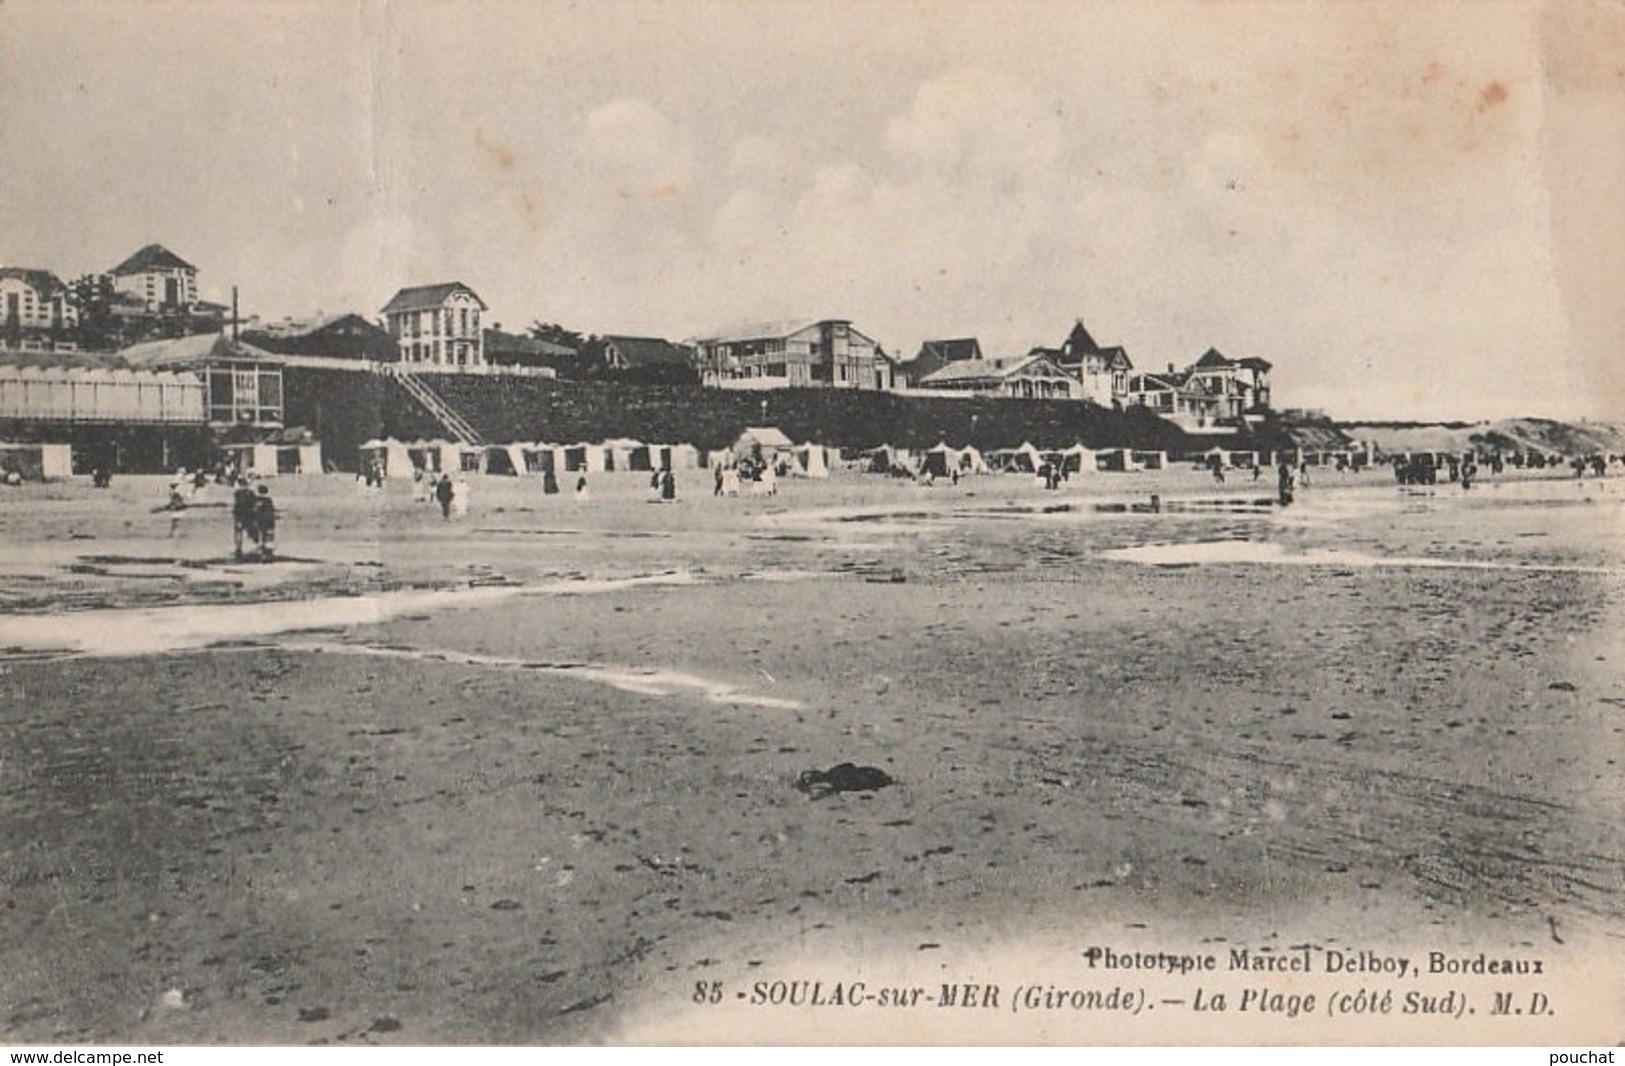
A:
(529, 778)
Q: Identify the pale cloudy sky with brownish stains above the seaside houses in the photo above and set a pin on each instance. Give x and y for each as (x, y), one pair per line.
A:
(1413, 210)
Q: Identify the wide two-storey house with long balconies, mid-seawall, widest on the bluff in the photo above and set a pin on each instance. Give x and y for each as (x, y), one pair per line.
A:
(828, 353)
